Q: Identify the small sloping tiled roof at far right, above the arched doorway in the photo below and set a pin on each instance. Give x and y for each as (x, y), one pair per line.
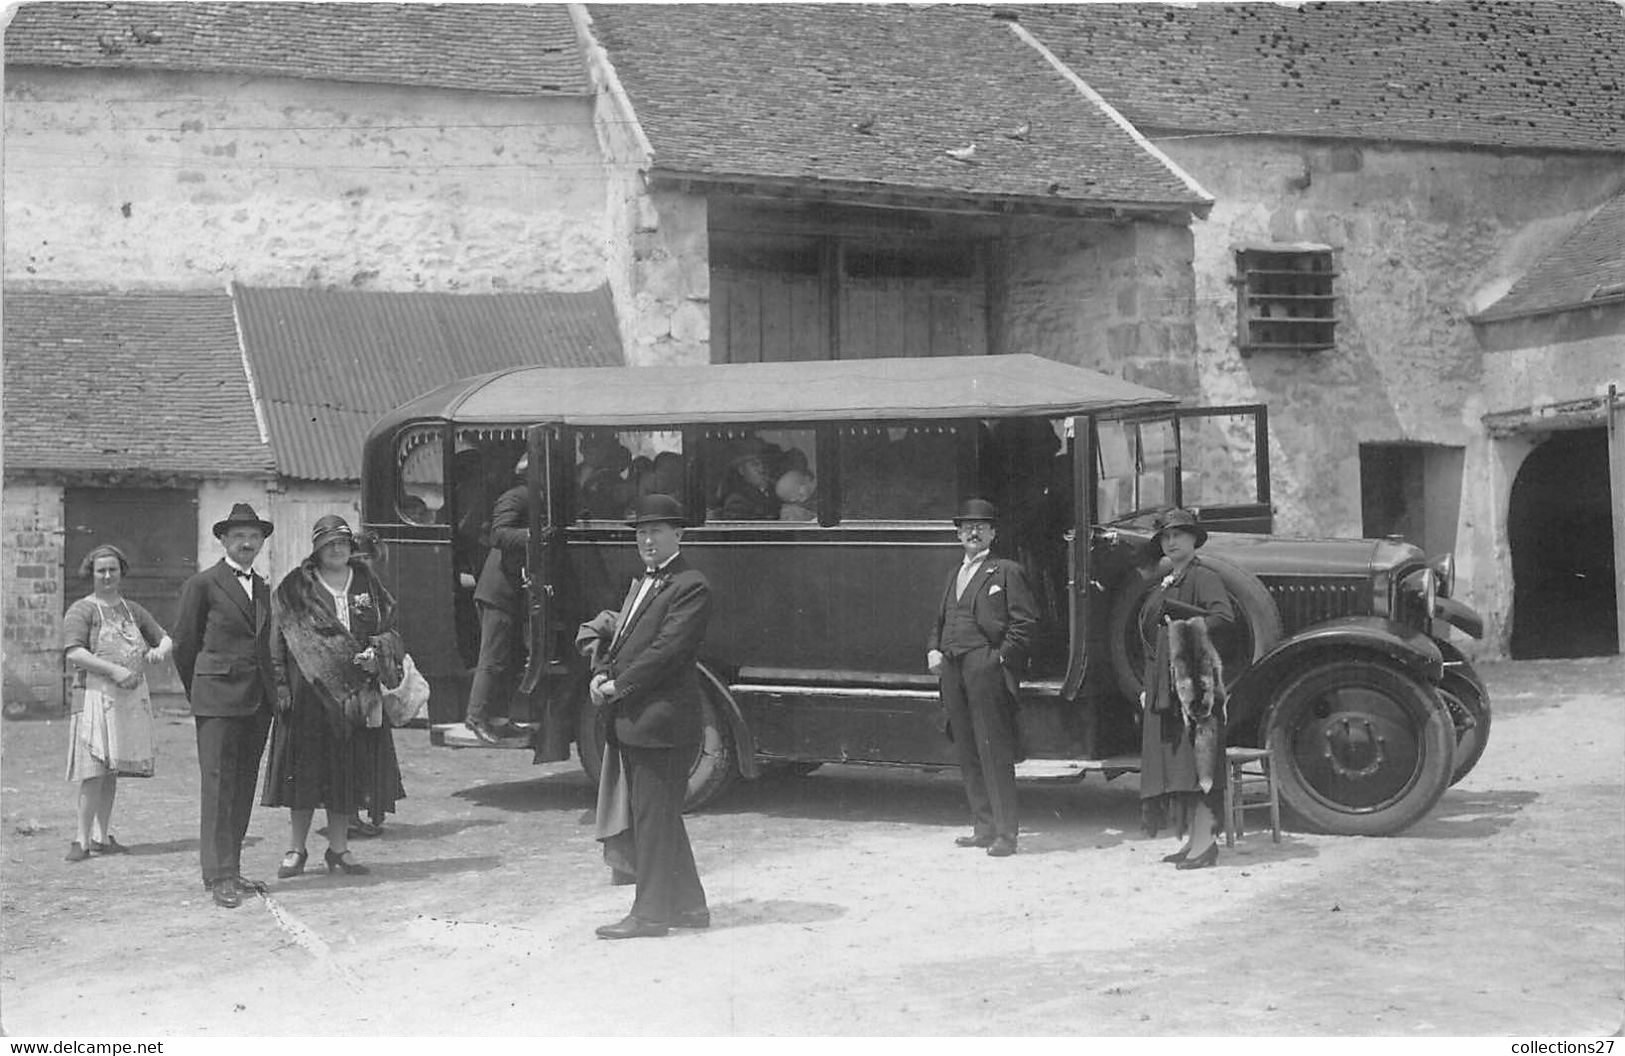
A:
(1587, 267)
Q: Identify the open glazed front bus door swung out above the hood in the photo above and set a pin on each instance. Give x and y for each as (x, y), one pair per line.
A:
(1224, 467)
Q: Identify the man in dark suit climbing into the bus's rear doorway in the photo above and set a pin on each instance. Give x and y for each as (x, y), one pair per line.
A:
(500, 597)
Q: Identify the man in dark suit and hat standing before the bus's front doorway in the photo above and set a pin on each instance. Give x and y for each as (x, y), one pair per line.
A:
(979, 649)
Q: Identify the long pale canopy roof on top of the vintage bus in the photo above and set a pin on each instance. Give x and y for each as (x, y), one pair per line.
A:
(782, 392)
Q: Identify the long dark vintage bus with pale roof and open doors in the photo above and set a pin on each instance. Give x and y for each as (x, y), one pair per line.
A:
(1340, 662)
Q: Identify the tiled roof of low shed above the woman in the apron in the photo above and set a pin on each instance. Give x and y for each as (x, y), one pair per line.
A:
(150, 381)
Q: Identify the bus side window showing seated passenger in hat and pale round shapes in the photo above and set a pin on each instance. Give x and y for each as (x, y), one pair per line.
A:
(761, 475)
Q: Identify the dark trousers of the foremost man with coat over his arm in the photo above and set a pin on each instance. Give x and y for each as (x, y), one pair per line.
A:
(669, 886)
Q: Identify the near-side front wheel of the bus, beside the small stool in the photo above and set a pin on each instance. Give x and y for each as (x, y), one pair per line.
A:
(1361, 748)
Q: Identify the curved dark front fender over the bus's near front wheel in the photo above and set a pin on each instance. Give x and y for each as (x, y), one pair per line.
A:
(1350, 636)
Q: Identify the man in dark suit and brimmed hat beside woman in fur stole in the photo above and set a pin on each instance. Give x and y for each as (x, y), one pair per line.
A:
(223, 652)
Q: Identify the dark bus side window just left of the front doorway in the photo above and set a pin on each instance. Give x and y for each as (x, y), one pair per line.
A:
(899, 472)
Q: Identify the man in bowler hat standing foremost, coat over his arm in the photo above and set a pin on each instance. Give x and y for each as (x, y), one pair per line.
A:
(648, 680)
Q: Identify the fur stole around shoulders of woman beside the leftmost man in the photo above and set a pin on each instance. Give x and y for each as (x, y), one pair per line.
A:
(326, 651)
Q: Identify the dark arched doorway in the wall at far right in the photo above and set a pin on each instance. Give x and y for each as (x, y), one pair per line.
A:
(1562, 542)
